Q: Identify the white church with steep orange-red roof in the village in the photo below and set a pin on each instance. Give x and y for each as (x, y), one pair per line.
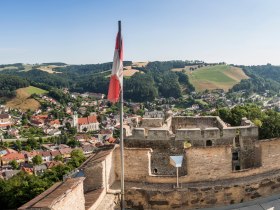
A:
(83, 124)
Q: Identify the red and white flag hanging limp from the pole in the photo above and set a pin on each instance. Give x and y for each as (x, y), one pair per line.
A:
(116, 81)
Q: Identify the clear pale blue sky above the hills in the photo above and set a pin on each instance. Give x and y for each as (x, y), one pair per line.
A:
(83, 31)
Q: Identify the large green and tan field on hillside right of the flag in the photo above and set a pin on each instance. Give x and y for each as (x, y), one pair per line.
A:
(216, 77)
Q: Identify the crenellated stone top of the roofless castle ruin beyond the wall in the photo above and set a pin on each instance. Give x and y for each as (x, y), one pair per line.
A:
(196, 130)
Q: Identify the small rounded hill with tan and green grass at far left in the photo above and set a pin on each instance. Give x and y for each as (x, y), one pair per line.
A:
(23, 101)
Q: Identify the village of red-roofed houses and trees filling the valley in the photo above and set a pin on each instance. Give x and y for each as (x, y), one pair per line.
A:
(34, 141)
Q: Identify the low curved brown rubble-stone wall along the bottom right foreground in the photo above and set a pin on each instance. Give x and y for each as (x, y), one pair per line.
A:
(204, 194)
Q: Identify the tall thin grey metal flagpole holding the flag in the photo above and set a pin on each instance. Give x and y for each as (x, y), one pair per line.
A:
(121, 132)
